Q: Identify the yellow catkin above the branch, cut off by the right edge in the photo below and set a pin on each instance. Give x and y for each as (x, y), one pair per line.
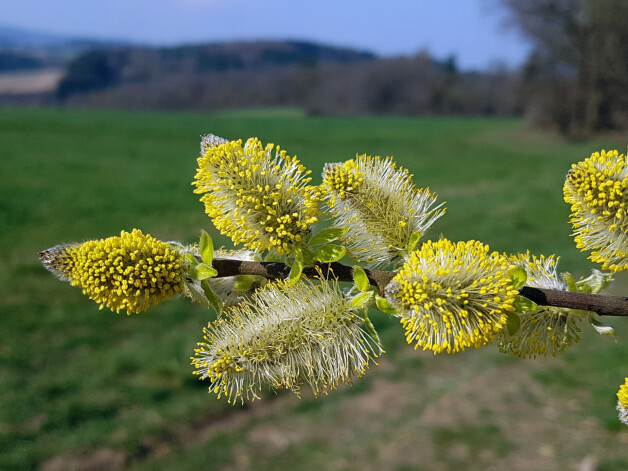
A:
(596, 189)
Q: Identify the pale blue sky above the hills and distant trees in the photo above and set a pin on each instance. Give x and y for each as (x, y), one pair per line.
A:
(473, 30)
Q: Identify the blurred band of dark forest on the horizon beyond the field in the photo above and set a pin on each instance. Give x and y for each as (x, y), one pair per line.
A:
(318, 79)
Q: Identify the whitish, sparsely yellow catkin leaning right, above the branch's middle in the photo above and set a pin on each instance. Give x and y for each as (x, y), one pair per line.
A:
(379, 205)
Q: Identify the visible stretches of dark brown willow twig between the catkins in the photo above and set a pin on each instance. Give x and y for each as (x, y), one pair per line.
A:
(601, 304)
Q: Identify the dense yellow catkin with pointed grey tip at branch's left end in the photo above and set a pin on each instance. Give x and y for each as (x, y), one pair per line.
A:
(130, 272)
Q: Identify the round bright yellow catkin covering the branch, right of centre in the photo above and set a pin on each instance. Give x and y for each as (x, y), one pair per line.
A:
(452, 296)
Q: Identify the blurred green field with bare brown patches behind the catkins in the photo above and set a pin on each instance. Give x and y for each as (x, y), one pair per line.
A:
(89, 389)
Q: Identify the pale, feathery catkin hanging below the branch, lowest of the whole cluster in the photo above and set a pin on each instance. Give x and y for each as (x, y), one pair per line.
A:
(284, 337)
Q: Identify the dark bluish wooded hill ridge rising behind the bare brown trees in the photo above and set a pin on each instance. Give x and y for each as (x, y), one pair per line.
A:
(104, 68)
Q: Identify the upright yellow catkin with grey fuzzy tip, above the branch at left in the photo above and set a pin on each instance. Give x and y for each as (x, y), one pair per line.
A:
(258, 196)
